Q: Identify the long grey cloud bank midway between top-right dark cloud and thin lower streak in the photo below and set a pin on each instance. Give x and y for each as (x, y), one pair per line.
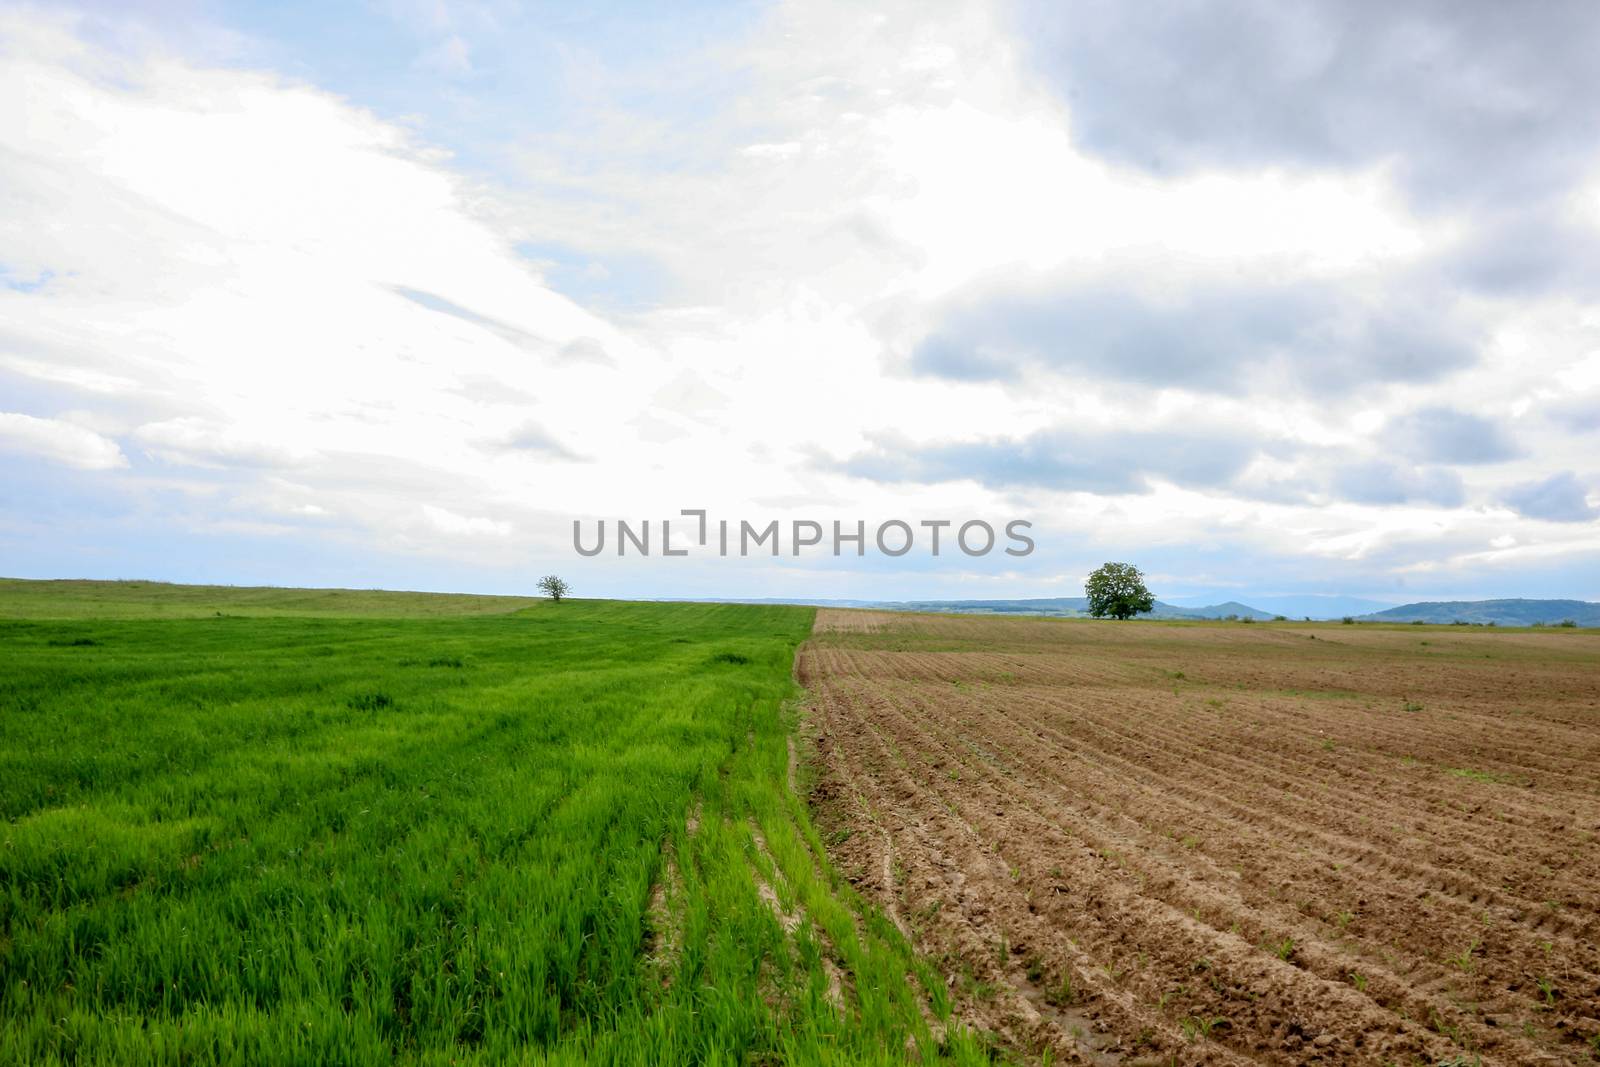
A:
(1217, 337)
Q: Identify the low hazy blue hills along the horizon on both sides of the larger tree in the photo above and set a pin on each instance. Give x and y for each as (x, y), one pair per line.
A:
(1482, 612)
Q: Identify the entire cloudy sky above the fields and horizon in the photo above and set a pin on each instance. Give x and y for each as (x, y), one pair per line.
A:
(1270, 298)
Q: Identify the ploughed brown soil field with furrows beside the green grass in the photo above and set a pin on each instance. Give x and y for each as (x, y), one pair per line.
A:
(1228, 844)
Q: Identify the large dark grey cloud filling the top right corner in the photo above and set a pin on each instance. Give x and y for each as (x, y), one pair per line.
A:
(1482, 108)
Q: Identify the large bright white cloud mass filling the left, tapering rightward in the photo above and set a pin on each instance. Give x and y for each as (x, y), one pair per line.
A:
(226, 257)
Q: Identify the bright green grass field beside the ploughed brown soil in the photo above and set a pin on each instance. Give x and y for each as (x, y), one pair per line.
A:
(356, 828)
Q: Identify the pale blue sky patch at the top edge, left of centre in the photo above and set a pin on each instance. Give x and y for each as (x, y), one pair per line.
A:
(482, 79)
